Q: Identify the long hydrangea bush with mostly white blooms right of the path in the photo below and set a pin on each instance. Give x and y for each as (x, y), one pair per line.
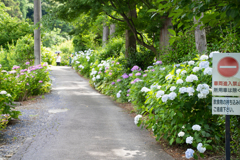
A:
(174, 101)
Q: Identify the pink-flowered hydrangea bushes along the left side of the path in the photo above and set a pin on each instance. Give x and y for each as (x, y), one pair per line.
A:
(18, 84)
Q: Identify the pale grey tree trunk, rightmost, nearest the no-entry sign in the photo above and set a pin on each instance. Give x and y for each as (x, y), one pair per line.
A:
(200, 37)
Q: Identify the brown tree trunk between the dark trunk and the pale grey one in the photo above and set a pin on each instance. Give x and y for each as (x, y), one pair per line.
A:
(165, 35)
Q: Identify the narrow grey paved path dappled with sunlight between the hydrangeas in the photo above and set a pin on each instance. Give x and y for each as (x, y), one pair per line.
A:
(91, 127)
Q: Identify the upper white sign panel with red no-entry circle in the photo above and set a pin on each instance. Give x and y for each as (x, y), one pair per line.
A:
(226, 74)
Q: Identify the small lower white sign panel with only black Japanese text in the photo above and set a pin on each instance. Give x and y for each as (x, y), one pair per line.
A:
(226, 105)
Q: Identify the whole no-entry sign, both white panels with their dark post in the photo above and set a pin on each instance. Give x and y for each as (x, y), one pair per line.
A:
(226, 82)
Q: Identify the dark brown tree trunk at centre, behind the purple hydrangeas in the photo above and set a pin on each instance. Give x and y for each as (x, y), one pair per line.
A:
(130, 40)
